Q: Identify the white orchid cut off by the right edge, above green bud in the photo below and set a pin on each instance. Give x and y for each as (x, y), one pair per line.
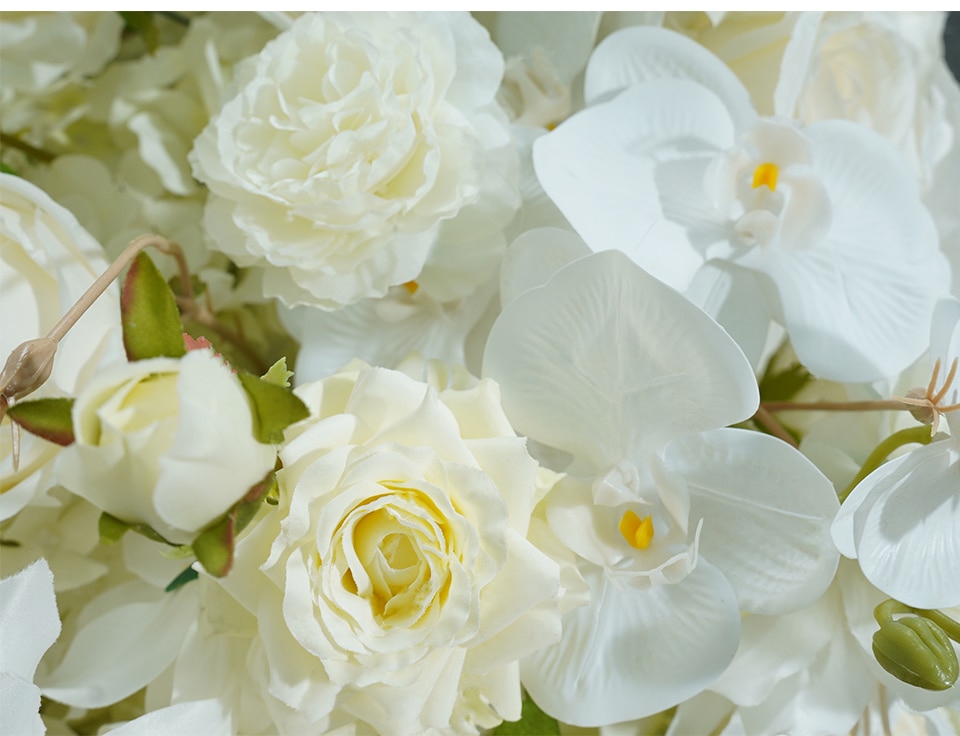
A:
(901, 521)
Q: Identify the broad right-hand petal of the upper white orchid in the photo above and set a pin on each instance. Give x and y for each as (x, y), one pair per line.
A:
(857, 303)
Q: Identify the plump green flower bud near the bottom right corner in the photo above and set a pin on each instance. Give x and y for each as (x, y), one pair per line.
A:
(916, 651)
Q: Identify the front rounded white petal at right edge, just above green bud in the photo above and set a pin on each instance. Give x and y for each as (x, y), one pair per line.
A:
(907, 541)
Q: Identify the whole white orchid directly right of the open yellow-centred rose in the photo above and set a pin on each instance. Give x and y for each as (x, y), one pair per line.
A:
(678, 525)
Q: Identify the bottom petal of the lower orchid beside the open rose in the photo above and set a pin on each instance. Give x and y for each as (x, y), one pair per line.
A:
(631, 653)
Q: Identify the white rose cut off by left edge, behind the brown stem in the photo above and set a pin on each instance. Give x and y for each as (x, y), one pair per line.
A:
(47, 260)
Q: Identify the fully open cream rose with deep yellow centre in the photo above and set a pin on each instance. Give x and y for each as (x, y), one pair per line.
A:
(396, 587)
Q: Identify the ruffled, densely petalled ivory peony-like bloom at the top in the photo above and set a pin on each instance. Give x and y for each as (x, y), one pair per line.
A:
(359, 146)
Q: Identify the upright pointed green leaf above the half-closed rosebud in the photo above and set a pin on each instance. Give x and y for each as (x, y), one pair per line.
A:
(148, 311)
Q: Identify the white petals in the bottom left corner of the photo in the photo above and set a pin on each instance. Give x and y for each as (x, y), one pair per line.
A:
(30, 624)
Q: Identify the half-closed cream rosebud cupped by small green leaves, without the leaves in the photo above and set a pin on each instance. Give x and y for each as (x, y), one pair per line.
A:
(165, 442)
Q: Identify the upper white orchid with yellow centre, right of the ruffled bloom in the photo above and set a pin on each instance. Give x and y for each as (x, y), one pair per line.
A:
(820, 227)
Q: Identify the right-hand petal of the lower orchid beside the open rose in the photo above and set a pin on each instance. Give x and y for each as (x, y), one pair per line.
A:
(767, 512)
